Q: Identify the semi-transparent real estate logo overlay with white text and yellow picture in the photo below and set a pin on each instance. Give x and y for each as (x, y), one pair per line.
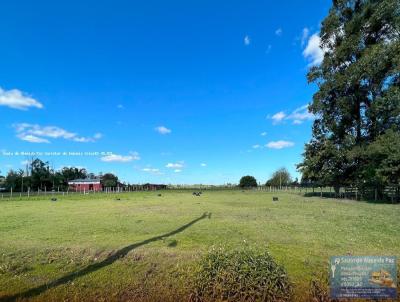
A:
(370, 277)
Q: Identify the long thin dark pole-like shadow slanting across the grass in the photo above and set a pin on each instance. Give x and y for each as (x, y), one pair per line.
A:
(96, 266)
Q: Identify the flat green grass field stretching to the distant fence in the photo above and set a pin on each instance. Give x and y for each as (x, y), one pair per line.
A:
(95, 247)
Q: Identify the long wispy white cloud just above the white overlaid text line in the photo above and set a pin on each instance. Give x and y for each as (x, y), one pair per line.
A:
(38, 134)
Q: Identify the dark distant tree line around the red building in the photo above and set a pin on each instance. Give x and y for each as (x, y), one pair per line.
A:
(40, 176)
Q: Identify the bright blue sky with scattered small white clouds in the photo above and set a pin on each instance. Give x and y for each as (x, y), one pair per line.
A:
(178, 91)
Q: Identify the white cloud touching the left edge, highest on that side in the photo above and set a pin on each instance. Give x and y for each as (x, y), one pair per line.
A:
(16, 99)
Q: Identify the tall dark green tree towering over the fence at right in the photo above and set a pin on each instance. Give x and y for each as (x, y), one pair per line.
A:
(357, 104)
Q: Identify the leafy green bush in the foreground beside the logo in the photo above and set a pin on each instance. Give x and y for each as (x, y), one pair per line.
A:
(240, 275)
